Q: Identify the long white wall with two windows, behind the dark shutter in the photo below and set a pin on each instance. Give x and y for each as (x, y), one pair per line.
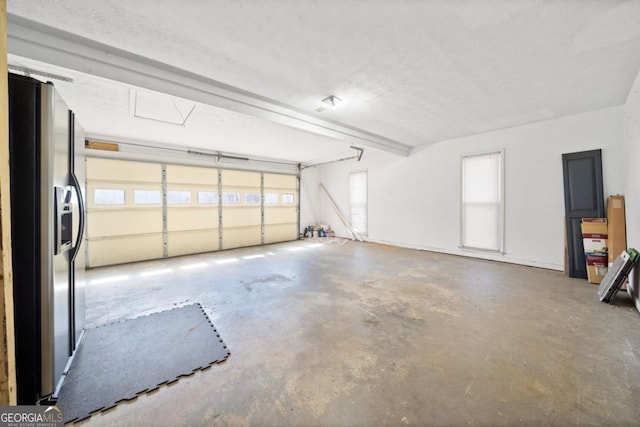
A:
(415, 201)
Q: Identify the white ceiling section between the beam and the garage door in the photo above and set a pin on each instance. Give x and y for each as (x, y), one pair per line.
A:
(104, 109)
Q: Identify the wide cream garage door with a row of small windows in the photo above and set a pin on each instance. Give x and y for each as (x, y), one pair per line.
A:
(139, 211)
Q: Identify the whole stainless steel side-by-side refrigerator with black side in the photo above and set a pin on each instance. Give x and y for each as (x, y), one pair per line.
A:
(47, 227)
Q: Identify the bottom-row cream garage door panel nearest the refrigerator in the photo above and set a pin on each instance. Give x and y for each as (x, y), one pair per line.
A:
(121, 250)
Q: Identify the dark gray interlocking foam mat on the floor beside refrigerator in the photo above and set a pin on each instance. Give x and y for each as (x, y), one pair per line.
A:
(119, 361)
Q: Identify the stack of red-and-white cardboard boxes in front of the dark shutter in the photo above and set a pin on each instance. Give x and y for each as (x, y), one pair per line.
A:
(594, 239)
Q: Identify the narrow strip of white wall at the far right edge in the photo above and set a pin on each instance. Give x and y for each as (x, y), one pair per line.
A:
(632, 178)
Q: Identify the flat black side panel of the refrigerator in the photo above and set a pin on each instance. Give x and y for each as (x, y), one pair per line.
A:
(24, 113)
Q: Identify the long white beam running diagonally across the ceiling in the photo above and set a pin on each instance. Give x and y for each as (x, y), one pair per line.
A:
(39, 42)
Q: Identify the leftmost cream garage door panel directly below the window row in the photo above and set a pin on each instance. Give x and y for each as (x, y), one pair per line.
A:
(105, 223)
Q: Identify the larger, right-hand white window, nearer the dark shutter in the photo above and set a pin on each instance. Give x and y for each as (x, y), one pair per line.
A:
(482, 201)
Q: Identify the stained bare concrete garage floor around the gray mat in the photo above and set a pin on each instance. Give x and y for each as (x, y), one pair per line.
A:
(331, 332)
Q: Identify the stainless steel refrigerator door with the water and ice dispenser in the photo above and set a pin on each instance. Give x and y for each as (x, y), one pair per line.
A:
(55, 274)
